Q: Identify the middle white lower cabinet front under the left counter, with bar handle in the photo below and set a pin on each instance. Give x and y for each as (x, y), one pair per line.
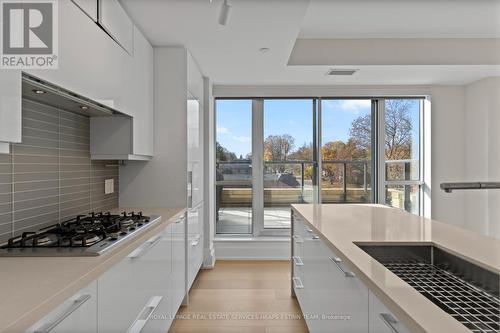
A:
(132, 290)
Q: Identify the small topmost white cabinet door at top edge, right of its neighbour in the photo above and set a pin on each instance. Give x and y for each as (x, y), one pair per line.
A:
(114, 19)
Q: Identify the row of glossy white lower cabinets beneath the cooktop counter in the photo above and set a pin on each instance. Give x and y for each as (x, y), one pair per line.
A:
(141, 293)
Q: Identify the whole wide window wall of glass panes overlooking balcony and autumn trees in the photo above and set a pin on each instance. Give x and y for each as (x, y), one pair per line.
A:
(271, 153)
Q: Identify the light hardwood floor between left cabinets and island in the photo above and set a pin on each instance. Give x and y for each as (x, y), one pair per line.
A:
(243, 297)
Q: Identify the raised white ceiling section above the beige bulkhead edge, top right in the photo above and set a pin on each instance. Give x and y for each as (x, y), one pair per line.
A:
(402, 18)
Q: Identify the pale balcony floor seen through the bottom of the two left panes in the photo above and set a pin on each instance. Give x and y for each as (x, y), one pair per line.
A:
(239, 220)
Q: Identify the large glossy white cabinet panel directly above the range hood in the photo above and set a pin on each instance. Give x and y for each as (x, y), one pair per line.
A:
(91, 64)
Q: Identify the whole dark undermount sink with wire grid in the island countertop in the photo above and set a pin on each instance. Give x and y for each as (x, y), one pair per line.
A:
(466, 291)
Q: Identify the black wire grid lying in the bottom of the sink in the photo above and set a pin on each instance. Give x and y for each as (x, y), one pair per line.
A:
(471, 306)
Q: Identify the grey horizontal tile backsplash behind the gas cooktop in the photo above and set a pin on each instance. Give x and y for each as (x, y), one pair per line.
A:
(49, 177)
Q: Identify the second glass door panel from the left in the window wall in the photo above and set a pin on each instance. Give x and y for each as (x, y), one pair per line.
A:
(288, 140)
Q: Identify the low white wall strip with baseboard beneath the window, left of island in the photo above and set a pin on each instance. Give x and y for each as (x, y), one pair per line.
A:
(252, 249)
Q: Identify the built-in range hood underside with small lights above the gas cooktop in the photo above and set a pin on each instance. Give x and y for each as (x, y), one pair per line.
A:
(41, 91)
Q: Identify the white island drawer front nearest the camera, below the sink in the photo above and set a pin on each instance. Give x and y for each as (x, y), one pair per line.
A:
(381, 319)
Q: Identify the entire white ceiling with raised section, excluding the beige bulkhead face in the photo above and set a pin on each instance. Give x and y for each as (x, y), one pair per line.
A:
(230, 55)
